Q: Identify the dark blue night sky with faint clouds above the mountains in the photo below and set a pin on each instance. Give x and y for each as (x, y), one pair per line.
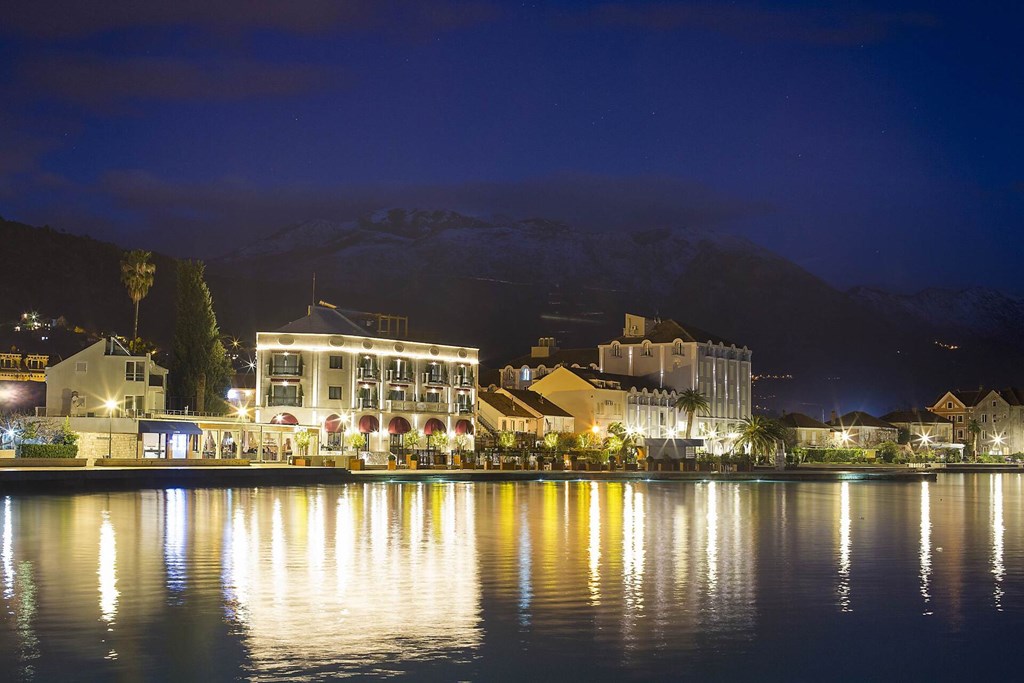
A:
(872, 144)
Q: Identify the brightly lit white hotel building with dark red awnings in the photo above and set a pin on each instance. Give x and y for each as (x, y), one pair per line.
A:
(325, 371)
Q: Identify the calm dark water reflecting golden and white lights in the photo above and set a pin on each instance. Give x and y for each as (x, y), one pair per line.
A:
(507, 581)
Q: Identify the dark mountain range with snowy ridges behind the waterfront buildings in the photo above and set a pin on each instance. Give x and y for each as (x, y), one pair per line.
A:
(500, 283)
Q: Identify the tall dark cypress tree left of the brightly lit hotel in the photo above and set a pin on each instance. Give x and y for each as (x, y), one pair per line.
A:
(201, 372)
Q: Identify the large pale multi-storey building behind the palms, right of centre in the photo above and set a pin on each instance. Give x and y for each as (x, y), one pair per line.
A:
(676, 359)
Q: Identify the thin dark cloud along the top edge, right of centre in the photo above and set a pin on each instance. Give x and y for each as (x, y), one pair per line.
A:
(817, 27)
